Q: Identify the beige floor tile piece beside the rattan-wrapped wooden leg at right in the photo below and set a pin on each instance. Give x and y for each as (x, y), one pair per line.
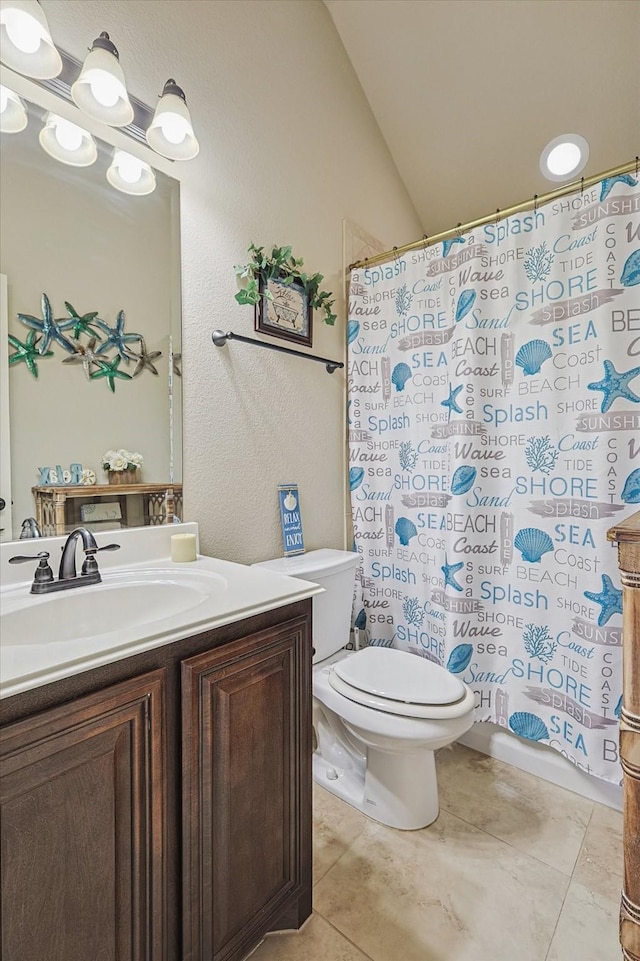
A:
(600, 864)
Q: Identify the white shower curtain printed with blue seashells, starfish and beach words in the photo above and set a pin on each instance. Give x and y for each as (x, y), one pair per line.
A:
(494, 437)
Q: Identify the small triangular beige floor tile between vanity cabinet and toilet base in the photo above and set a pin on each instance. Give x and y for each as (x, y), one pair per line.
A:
(336, 825)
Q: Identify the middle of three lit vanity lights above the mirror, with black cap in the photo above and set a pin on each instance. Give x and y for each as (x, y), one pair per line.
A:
(100, 89)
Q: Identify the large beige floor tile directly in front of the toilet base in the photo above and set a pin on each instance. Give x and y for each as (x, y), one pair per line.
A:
(447, 893)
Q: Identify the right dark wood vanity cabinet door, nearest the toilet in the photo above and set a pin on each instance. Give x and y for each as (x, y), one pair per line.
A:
(246, 782)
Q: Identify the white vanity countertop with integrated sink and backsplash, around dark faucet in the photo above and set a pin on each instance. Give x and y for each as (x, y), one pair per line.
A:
(223, 592)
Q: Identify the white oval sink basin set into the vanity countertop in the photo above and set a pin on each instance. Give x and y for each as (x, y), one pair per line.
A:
(121, 602)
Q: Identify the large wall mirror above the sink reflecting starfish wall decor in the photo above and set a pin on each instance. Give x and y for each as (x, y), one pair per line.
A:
(91, 249)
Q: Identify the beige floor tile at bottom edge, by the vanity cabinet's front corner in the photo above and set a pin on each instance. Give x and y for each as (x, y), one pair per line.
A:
(317, 941)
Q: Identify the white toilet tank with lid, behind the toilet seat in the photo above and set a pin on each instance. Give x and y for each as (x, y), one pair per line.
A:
(335, 571)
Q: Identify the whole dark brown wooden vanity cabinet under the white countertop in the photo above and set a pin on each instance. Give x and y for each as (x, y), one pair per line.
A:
(159, 808)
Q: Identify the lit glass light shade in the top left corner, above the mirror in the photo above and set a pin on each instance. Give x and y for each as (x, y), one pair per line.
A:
(25, 42)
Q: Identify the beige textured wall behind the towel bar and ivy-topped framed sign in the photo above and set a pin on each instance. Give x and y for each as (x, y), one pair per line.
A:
(289, 148)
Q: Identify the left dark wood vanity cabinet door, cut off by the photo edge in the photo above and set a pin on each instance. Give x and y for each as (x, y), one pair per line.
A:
(82, 828)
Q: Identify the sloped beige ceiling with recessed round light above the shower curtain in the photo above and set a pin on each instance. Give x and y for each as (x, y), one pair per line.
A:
(468, 92)
